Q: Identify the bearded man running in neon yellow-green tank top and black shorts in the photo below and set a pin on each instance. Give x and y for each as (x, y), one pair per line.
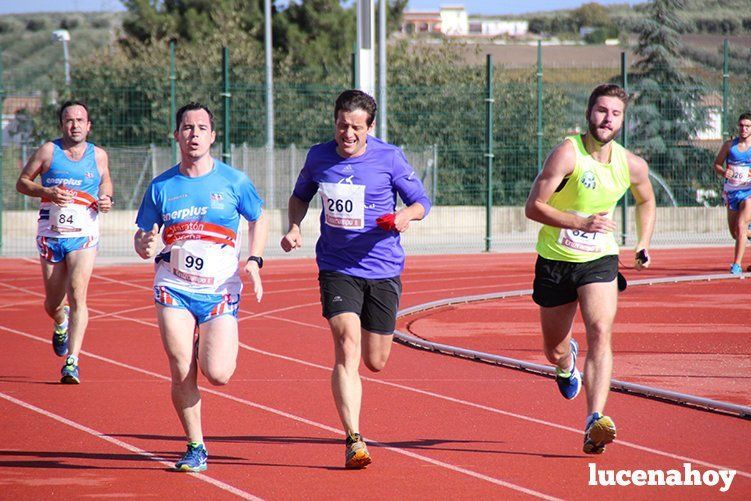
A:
(574, 197)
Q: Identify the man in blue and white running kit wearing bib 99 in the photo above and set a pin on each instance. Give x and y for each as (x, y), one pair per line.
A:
(198, 205)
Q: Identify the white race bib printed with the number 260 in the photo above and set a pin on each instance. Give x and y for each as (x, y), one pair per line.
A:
(343, 205)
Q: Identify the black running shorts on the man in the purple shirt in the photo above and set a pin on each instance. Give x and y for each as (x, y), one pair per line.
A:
(376, 301)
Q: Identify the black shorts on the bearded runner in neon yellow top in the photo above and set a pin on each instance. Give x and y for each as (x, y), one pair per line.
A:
(556, 282)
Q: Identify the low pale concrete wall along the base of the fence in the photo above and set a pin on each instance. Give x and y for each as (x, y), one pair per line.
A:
(446, 230)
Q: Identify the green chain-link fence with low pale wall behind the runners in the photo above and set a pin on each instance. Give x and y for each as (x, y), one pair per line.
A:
(441, 127)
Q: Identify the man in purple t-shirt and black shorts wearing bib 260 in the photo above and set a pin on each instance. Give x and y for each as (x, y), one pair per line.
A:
(359, 253)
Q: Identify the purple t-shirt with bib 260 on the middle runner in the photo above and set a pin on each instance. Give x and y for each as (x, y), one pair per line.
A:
(355, 192)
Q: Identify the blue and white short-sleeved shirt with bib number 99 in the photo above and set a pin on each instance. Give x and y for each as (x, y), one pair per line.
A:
(200, 216)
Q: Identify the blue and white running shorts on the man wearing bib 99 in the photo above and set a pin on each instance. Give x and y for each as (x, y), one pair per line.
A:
(203, 307)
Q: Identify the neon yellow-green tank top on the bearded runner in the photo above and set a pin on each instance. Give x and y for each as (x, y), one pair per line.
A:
(591, 188)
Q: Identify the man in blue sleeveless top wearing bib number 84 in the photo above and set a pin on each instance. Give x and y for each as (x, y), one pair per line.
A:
(74, 187)
